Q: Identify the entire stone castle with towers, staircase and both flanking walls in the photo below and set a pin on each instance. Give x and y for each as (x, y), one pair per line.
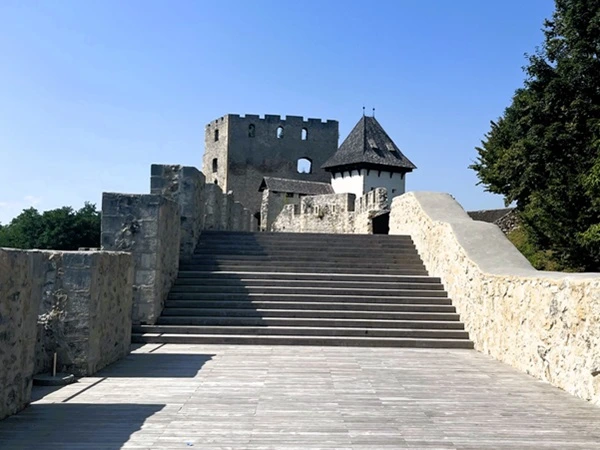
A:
(185, 263)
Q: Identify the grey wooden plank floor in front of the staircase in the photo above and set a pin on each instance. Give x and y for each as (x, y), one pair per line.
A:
(251, 397)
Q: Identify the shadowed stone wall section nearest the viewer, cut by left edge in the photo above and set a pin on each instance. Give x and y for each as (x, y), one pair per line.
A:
(20, 294)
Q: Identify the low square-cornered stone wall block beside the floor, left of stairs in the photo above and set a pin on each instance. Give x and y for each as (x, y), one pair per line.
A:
(85, 313)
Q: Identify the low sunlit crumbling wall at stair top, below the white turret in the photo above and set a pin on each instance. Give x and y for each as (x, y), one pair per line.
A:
(333, 213)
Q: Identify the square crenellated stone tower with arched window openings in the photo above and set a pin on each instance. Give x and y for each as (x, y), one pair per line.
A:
(239, 151)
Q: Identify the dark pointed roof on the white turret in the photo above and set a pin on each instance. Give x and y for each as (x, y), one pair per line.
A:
(369, 146)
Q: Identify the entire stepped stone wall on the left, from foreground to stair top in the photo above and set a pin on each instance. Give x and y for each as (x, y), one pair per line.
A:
(81, 305)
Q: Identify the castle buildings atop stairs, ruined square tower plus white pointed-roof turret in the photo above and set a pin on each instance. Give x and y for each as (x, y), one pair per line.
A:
(287, 159)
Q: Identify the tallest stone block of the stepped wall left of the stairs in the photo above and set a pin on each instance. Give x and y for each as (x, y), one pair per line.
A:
(185, 186)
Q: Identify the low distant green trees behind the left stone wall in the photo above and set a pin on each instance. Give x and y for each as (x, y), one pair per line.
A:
(58, 229)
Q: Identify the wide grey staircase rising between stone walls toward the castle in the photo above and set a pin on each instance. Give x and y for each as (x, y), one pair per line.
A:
(306, 289)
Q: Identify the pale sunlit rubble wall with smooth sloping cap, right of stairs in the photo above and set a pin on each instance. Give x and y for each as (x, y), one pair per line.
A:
(546, 324)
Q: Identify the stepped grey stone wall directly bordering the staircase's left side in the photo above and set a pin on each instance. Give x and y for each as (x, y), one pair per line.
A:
(161, 228)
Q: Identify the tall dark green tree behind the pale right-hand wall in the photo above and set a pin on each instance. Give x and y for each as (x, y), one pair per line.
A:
(544, 152)
